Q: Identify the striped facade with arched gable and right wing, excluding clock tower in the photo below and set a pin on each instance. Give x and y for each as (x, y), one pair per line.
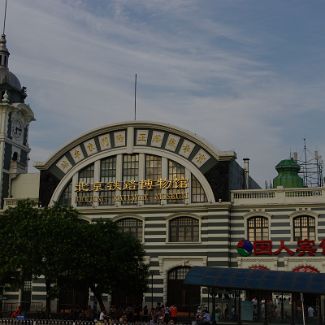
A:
(184, 200)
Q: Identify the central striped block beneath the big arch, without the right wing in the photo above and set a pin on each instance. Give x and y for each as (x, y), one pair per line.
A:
(160, 183)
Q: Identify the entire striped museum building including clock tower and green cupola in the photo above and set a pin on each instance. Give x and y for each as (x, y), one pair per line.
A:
(189, 203)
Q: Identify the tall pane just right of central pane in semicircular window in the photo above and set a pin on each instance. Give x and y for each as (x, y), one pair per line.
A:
(152, 172)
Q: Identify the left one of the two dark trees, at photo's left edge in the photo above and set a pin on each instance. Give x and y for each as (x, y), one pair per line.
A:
(35, 242)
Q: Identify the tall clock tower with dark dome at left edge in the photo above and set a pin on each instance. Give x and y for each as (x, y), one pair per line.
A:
(15, 117)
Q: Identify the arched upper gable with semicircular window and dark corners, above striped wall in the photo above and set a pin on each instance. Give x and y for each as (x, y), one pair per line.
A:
(138, 152)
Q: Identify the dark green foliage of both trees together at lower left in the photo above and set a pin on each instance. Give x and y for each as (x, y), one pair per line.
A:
(56, 243)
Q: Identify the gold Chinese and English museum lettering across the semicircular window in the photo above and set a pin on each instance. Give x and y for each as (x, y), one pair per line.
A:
(157, 190)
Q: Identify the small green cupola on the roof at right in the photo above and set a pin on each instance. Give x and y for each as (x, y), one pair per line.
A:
(288, 174)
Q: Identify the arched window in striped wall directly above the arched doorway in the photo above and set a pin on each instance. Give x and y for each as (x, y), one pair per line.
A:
(184, 229)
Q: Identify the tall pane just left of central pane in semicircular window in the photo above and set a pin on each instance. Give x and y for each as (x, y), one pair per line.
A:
(107, 174)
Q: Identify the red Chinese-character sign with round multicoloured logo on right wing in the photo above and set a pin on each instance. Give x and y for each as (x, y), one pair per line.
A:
(305, 247)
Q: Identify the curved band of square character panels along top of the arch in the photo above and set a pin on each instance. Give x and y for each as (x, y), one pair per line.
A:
(134, 134)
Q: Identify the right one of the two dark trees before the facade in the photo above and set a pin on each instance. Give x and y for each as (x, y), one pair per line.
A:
(110, 260)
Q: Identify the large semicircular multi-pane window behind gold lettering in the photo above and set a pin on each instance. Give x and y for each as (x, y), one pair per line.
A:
(115, 180)
